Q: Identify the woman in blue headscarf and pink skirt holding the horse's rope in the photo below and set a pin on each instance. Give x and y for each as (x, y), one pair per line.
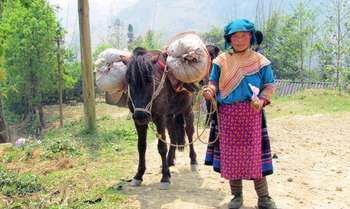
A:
(242, 82)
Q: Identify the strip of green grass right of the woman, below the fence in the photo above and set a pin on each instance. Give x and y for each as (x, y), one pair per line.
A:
(309, 102)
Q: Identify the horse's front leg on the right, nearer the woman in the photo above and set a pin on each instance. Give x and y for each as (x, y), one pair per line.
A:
(163, 149)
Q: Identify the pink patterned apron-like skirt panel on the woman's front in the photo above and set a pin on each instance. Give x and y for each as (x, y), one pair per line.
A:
(240, 142)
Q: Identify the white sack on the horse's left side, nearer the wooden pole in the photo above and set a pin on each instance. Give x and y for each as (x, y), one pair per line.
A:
(110, 70)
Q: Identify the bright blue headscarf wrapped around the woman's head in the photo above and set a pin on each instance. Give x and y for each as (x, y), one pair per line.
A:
(239, 25)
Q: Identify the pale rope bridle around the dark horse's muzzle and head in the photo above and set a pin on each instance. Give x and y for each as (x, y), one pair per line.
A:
(148, 108)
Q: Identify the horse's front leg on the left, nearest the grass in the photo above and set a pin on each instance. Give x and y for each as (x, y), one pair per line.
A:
(141, 146)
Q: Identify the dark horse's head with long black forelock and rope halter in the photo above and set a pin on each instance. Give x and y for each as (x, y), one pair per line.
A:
(141, 84)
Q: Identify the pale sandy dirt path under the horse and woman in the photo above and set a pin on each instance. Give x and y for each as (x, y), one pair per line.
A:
(312, 171)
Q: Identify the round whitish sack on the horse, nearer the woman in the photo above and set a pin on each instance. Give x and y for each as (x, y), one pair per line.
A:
(188, 59)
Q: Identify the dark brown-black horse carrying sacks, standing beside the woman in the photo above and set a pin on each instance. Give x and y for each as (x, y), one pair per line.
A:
(152, 98)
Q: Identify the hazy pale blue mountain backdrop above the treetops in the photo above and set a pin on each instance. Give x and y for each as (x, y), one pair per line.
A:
(167, 16)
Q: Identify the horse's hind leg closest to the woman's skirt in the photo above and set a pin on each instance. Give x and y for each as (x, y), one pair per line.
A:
(189, 127)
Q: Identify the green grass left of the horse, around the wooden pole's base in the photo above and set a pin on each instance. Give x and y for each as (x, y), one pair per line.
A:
(76, 169)
